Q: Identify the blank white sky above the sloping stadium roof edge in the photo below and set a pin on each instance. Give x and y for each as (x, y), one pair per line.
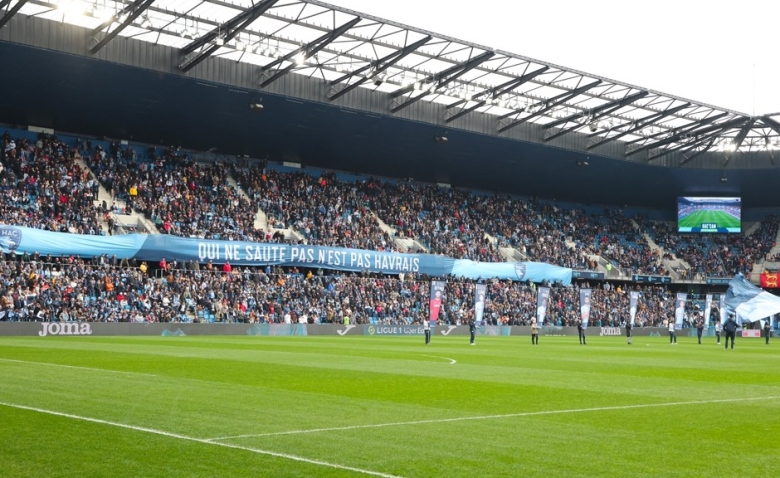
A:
(719, 53)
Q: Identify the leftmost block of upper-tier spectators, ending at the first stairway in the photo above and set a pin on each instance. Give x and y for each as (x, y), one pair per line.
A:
(41, 186)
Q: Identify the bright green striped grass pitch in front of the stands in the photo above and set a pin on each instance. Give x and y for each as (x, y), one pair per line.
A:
(387, 406)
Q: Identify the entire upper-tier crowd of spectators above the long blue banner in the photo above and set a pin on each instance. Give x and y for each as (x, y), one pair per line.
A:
(43, 187)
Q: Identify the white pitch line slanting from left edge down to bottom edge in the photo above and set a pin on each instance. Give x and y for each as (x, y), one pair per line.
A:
(201, 440)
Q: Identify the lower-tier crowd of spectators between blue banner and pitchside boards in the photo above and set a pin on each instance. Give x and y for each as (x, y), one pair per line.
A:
(105, 289)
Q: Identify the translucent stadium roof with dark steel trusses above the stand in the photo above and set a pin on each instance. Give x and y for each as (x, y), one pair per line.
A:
(349, 50)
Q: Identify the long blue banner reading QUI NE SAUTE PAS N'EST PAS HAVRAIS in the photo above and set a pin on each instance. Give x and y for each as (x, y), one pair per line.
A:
(154, 247)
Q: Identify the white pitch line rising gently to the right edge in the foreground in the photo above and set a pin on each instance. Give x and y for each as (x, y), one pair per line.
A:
(490, 417)
